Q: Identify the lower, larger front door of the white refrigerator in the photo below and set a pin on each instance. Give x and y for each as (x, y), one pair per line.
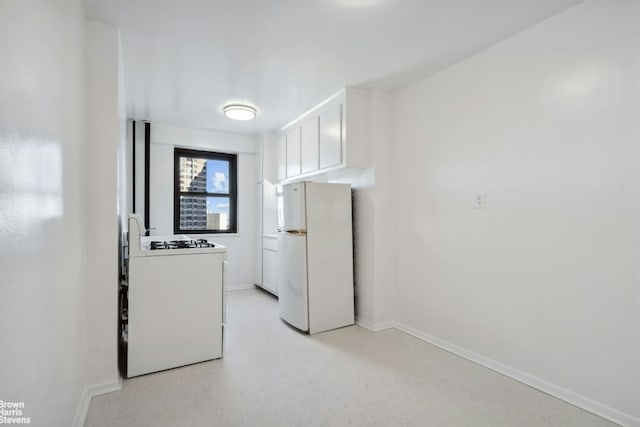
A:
(292, 281)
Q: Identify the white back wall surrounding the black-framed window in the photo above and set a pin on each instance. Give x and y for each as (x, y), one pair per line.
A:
(241, 247)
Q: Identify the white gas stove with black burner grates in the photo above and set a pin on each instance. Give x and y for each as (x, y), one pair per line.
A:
(176, 301)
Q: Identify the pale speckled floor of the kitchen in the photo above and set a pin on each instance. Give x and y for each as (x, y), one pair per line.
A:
(272, 375)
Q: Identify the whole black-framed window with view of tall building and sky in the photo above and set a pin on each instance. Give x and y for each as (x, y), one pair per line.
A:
(205, 192)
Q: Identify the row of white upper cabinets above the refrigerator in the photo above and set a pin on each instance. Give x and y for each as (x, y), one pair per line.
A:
(331, 136)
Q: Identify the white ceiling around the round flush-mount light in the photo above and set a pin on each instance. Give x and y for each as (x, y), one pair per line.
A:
(184, 59)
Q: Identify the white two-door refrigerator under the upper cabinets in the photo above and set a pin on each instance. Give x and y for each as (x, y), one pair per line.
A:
(315, 256)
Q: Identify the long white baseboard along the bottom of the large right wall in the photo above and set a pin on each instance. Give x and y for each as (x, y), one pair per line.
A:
(554, 390)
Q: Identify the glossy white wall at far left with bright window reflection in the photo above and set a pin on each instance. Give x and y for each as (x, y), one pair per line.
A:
(43, 236)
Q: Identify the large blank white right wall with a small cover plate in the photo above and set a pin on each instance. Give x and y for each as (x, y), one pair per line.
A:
(544, 282)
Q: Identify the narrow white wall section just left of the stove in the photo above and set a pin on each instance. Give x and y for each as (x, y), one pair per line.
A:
(104, 135)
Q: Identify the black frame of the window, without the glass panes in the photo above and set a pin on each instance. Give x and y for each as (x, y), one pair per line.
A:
(232, 195)
